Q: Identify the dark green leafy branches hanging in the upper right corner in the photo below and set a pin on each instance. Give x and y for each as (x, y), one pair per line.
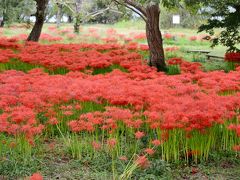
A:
(224, 14)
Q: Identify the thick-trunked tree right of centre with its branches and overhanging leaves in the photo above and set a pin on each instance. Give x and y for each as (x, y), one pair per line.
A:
(149, 11)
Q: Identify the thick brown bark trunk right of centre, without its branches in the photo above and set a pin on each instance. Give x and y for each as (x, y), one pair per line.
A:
(154, 38)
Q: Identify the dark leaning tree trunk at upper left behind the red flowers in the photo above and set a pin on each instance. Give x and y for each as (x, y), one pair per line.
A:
(40, 16)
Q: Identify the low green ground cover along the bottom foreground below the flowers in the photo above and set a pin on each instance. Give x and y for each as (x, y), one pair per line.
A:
(56, 164)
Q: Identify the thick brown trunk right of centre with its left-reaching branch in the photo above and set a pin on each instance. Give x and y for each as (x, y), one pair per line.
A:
(149, 11)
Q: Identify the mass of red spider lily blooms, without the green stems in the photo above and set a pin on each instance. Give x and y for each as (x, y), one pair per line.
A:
(191, 101)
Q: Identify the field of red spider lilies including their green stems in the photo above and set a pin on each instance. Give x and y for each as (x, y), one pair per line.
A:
(104, 98)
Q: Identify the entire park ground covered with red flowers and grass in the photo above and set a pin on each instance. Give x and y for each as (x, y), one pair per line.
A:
(88, 106)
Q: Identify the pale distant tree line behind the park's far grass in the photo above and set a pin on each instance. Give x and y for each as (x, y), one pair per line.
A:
(21, 11)
